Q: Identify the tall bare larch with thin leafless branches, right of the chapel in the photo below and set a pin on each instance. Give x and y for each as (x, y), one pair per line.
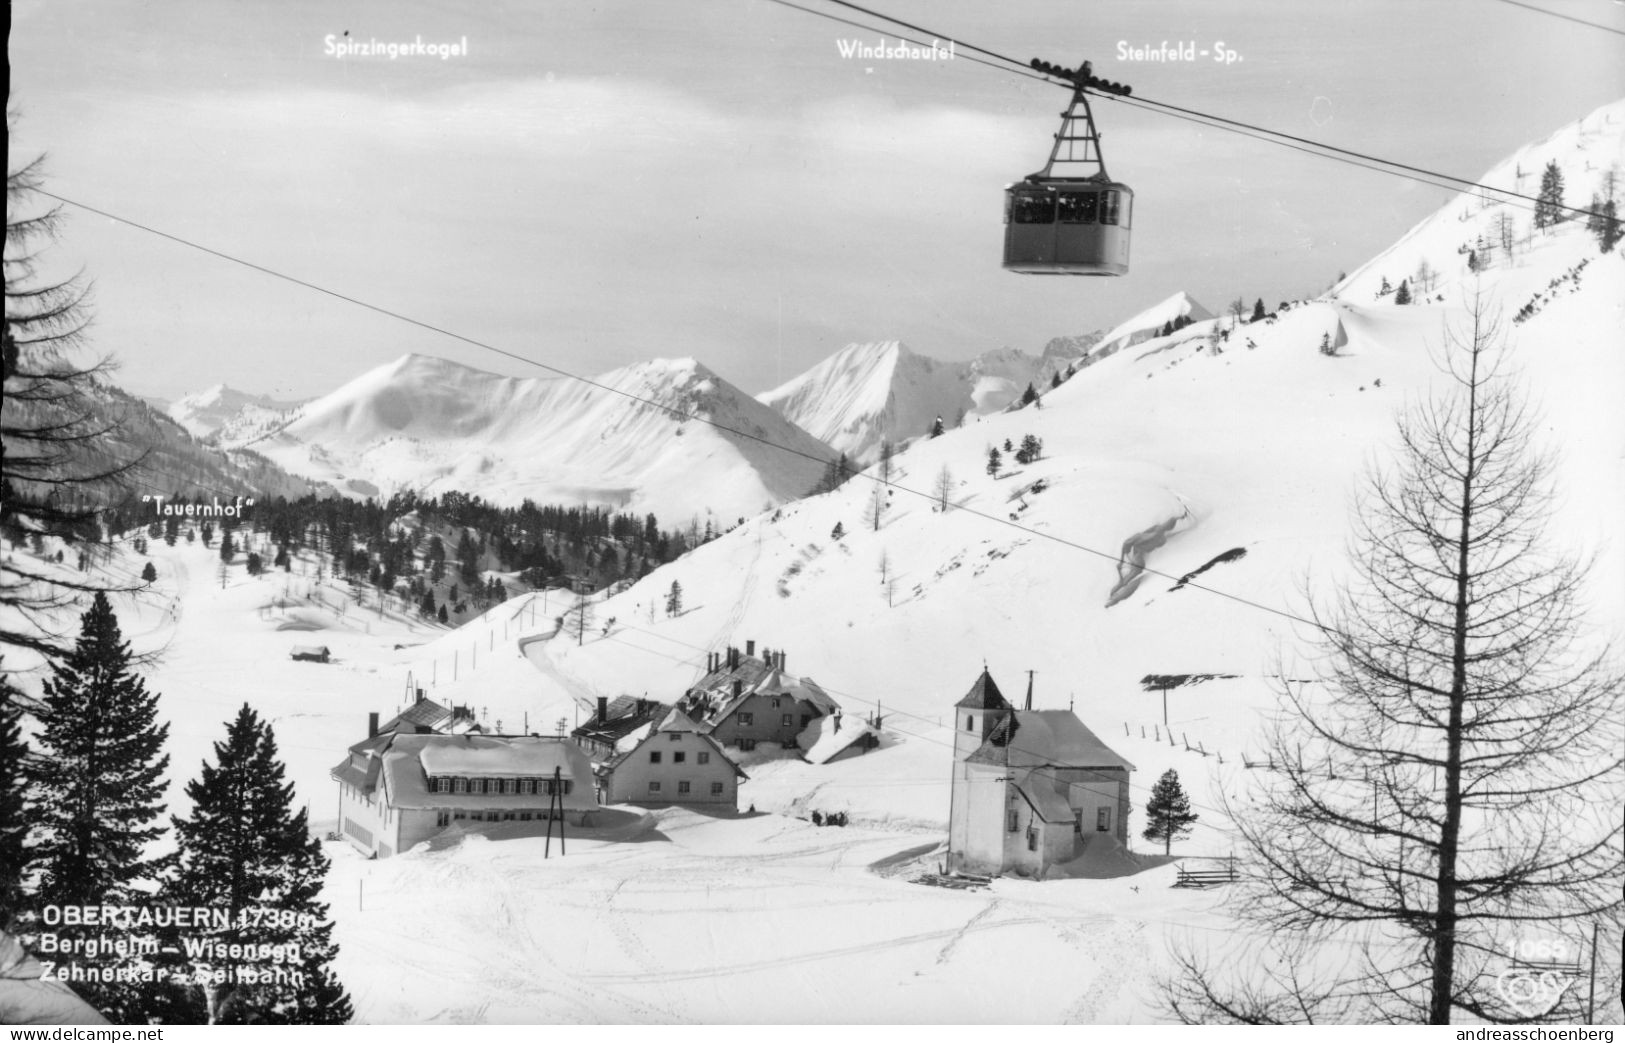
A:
(1452, 784)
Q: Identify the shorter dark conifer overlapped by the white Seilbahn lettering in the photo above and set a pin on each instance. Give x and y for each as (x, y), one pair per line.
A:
(248, 847)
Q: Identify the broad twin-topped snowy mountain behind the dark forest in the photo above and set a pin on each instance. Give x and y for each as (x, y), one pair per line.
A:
(623, 441)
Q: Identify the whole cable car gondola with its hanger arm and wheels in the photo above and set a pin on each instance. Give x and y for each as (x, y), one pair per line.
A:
(1077, 223)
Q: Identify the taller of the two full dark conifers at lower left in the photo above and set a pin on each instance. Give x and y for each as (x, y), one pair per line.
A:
(97, 790)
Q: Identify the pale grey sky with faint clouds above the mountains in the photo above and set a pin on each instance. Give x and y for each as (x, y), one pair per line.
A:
(597, 184)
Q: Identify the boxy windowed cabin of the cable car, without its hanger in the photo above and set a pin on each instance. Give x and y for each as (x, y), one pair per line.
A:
(1068, 227)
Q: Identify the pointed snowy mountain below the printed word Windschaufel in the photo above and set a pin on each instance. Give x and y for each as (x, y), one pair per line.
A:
(877, 392)
